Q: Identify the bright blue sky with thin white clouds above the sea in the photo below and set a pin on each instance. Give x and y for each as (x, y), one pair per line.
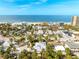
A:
(39, 7)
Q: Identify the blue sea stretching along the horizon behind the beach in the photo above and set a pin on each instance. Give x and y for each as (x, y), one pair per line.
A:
(35, 18)
